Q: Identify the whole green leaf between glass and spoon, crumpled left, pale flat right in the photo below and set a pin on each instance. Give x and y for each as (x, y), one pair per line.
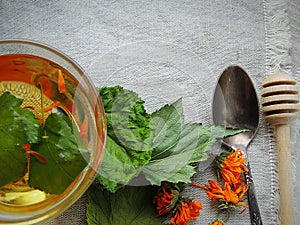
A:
(135, 136)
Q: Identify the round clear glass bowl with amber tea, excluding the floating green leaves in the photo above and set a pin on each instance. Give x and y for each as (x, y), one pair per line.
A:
(34, 71)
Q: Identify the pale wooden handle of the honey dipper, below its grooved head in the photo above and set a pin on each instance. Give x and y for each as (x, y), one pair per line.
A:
(285, 175)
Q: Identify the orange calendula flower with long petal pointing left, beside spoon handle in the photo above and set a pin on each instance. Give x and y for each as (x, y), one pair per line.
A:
(229, 197)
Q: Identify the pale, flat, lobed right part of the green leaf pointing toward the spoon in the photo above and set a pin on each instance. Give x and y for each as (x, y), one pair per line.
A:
(177, 146)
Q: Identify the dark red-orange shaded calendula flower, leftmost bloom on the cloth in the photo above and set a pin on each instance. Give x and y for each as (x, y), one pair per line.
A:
(166, 198)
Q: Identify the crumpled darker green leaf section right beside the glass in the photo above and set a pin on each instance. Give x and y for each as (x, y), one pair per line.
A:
(128, 123)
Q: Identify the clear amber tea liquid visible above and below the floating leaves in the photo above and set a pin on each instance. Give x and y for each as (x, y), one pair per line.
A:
(32, 78)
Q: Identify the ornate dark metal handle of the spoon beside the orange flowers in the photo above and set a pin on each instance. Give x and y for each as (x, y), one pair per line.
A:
(252, 201)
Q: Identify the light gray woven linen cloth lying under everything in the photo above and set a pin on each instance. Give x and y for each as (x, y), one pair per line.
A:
(169, 49)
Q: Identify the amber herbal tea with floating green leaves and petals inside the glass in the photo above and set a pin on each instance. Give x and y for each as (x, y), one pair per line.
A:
(44, 128)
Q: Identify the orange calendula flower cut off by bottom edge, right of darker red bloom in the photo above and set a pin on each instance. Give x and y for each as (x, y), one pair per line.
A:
(186, 211)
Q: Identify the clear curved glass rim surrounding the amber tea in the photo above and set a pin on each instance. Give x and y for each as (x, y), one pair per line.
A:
(87, 175)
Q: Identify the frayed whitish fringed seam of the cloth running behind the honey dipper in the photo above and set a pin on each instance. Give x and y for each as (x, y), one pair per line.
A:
(277, 59)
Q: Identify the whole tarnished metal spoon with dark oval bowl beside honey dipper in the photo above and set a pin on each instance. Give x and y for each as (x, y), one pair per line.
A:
(235, 105)
